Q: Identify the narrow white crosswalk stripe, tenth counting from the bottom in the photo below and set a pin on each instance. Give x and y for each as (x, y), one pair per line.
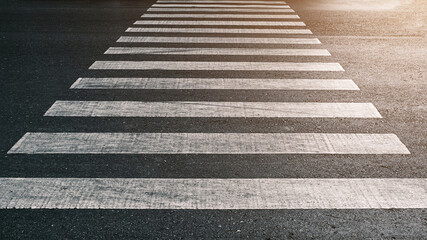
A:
(217, 16)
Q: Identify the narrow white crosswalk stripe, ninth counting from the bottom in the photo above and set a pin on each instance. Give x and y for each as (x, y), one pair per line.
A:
(219, 23)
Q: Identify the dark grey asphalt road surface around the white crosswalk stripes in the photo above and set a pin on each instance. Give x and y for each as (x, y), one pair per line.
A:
(47, 45)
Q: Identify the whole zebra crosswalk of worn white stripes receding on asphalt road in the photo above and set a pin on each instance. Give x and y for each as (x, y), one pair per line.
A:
(242, 23)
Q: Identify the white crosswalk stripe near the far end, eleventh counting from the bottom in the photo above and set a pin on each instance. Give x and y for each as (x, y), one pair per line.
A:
(221, 10)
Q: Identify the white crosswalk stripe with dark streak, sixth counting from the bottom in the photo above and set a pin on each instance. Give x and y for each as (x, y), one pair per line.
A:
(218, 51)
